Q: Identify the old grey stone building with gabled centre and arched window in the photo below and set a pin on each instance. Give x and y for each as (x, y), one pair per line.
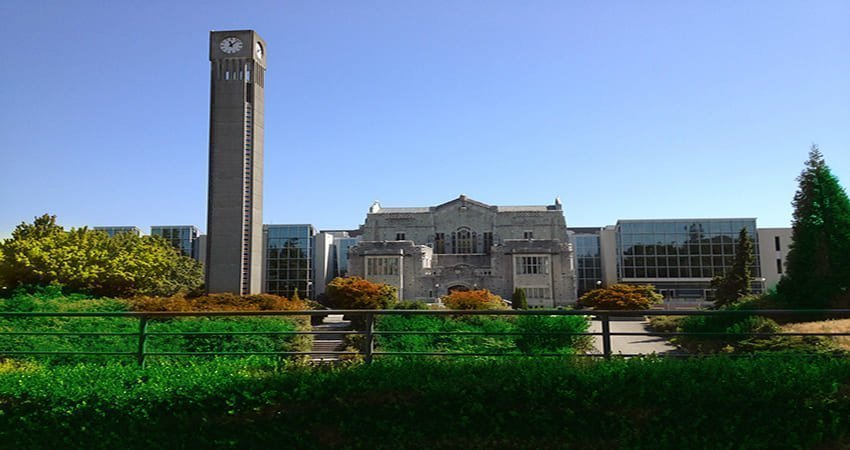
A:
(464, 244)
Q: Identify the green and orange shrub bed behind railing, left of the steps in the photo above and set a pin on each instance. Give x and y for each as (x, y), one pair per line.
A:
(53, 300)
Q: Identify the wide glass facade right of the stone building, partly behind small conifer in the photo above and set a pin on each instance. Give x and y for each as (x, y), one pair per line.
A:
(681, 256)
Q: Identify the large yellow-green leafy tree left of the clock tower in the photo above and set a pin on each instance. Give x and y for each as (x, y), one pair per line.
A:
(44, 253)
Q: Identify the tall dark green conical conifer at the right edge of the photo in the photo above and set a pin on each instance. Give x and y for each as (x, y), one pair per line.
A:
(818, 264)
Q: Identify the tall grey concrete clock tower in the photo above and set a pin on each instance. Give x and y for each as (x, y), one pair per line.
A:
(235, 197)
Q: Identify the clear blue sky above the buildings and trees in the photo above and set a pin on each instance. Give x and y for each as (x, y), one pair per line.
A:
(623, 109)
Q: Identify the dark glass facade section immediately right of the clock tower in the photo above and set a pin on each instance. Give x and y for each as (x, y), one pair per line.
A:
(289, 259)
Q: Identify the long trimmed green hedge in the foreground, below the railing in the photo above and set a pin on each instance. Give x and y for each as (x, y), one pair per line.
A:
(788, 402)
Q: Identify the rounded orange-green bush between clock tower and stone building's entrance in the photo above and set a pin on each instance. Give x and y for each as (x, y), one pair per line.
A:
(357, 293)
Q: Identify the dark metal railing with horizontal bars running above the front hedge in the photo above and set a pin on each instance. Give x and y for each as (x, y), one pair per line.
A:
(369, 331)
